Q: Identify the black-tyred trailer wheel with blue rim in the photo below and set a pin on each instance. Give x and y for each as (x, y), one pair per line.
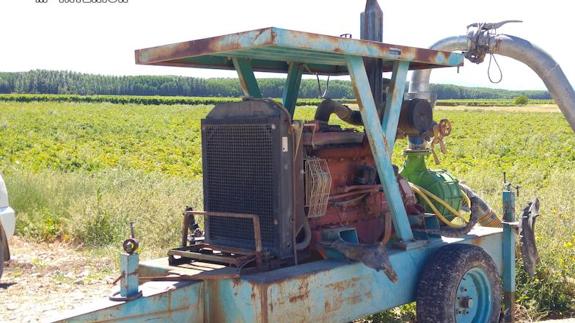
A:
(459, 284)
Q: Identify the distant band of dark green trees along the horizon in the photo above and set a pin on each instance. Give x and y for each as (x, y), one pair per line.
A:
(66, 82)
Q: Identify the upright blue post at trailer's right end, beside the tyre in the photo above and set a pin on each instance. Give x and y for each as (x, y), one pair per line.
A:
(508, 252)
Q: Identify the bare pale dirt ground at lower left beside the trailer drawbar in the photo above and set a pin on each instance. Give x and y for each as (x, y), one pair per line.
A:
(44, 281)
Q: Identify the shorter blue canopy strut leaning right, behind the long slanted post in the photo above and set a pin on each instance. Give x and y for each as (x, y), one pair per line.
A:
(393, 103)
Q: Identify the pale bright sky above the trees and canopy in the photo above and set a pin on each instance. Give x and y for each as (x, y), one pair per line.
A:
(101, 37)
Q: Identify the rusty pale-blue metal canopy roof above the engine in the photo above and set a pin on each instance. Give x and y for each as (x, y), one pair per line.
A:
(272, 49)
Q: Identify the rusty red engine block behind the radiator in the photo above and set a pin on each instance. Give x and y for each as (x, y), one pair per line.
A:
(356, 199)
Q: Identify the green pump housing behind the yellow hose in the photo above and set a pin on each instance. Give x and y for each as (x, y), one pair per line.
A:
(439, 182)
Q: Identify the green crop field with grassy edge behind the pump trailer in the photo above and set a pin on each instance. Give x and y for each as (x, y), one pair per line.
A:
(79, 172)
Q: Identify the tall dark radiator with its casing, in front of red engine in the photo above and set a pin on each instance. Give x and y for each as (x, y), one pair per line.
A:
(247, 168)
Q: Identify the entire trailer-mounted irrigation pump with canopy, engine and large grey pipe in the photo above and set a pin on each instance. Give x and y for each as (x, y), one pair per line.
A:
(310, 220)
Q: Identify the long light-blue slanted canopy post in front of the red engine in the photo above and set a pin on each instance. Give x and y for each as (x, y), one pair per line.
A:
(379, 146)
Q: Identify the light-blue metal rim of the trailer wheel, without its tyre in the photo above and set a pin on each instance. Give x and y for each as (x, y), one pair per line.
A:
(473, 298)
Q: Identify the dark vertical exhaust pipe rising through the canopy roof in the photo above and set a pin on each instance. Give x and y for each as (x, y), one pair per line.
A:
(372, 29)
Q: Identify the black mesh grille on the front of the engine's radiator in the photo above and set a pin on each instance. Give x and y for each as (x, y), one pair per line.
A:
(238, 175)
